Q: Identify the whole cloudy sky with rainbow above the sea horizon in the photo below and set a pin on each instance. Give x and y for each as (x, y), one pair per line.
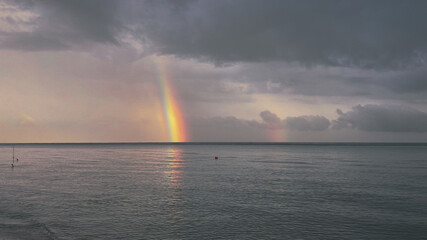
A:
(213, 71)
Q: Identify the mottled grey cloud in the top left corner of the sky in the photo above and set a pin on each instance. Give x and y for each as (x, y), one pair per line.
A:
(65, 25)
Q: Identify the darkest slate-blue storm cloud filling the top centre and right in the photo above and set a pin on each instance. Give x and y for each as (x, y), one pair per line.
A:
(343, 33)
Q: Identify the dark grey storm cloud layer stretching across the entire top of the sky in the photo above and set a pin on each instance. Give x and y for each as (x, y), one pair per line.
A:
(331, 32)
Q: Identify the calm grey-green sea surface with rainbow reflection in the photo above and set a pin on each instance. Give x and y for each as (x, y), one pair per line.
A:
(257, 191)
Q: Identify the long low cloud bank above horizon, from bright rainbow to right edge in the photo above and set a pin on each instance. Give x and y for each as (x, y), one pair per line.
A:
(368, 118)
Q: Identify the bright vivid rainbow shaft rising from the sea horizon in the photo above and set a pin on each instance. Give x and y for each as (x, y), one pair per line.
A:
(172, 113)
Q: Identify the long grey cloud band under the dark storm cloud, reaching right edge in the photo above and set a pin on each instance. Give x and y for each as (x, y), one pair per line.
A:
(408, 85)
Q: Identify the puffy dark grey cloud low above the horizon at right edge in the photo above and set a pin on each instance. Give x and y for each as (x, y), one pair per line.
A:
(382, 118)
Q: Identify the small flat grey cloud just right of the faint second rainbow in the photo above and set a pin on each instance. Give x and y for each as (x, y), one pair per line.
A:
(307, 123)
